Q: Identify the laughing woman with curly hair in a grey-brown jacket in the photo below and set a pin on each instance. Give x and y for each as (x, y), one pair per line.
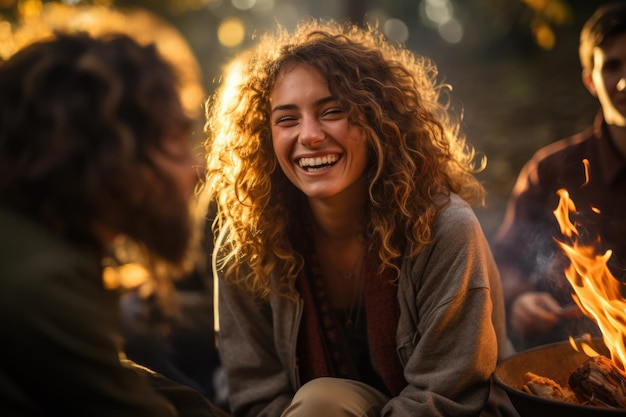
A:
(352, 272)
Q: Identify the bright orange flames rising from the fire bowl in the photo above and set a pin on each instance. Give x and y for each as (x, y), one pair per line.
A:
(597, 291)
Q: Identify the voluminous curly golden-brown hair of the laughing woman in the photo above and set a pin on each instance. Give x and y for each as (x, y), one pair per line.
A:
(416, 153)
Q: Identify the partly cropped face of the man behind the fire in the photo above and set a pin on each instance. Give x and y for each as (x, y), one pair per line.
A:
(607, 79)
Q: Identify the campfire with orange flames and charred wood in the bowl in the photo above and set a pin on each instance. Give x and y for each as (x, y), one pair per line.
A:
(600, 380)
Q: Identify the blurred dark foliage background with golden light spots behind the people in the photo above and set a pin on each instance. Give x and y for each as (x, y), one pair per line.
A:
(513, 64)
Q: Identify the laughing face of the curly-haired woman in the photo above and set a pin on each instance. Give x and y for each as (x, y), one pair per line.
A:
(318, 149)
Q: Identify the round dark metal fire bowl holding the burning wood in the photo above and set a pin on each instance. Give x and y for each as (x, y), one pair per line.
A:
(555, 361)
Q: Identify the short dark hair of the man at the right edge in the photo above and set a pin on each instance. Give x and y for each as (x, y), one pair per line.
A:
(606, 22)
